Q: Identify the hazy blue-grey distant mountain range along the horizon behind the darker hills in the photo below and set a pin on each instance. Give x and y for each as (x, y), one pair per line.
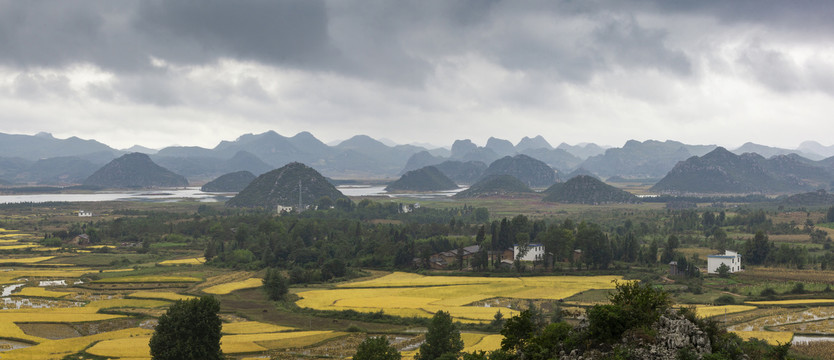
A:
(45, 160)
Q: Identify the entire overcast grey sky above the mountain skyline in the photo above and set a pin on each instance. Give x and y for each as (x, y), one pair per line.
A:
(195, 72)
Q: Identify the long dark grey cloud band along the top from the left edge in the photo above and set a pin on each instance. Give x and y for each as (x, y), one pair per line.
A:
(396, 42)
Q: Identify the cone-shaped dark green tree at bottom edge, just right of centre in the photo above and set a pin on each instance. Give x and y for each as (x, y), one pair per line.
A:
(442, 339)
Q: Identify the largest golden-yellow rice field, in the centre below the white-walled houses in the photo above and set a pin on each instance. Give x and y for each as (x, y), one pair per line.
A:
(406, 294)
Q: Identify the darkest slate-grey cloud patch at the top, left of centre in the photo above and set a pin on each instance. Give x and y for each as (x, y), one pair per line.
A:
(273, 32)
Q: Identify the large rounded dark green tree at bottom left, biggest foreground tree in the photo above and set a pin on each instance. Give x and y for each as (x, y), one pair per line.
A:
(190, 329)
